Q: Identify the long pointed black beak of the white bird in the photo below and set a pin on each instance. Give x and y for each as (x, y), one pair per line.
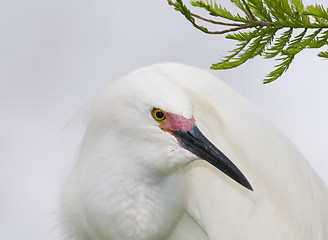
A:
(198, 144)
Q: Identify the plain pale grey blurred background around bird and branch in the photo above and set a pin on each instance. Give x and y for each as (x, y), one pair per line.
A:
(56, 54)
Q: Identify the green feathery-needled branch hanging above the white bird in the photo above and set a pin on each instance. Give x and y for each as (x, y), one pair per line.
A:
(278, 29)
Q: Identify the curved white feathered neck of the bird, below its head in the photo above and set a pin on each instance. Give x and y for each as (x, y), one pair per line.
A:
(120, 199)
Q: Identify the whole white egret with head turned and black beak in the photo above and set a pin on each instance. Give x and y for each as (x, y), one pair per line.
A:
(139, 173)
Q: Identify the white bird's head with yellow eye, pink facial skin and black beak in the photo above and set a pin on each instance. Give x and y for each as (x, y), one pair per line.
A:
(146, 121)
